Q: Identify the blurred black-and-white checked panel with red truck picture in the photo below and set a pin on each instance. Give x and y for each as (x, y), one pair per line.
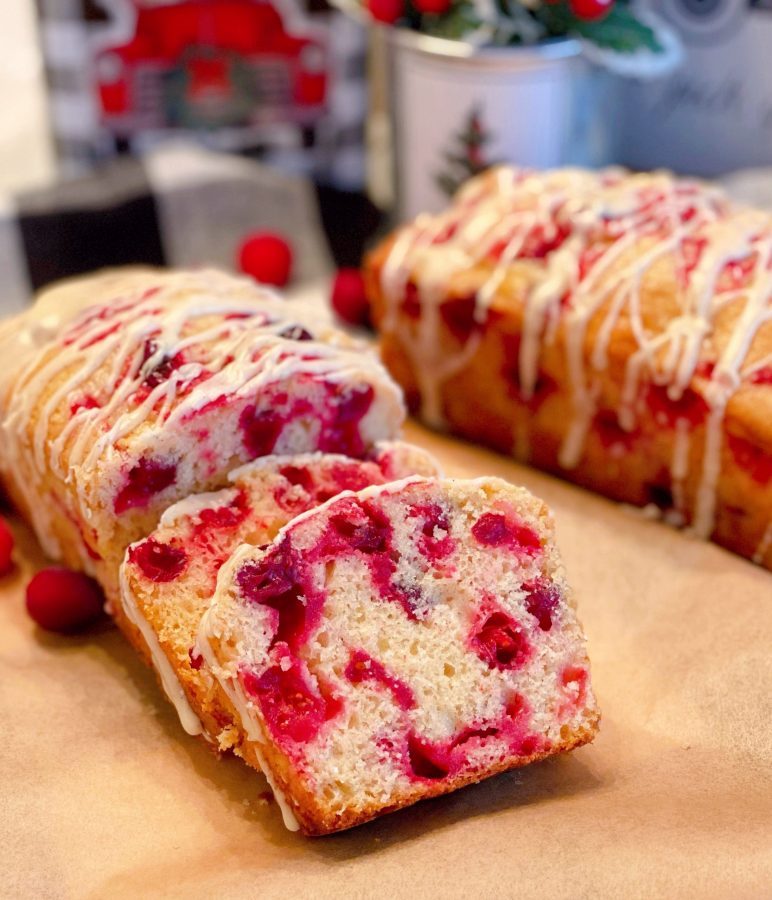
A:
(280, 80)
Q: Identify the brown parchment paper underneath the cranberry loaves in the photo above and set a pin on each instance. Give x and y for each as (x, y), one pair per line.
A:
(103, 795)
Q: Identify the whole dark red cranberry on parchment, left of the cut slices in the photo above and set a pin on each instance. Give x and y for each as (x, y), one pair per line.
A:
(61, 600)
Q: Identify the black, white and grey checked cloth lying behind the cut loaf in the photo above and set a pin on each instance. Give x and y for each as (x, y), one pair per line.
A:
(179, 205)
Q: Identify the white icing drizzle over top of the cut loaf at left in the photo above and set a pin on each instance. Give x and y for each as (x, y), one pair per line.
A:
(96, 345)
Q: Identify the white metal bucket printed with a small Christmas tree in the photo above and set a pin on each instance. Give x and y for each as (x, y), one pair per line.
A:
(455, 114)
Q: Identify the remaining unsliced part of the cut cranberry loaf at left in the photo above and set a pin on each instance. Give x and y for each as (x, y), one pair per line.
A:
(157, 384)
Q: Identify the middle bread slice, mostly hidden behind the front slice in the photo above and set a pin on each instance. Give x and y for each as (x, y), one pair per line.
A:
(168, 579)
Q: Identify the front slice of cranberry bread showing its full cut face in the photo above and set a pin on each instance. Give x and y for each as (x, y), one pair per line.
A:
(398, 643)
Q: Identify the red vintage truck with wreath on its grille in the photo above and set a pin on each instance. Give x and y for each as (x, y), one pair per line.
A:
(200, 64)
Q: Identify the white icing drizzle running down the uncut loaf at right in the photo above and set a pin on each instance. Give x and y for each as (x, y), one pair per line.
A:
(602, 234)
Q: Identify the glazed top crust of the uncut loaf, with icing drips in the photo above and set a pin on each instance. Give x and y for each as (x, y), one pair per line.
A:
(621, 284)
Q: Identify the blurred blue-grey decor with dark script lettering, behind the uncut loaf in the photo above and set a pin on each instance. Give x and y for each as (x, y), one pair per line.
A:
(714, 113)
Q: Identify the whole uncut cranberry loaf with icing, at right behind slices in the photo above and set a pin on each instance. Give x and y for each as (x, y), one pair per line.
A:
(615, 329)
